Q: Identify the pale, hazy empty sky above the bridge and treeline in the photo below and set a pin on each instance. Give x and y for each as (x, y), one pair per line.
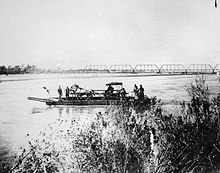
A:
(74, 33)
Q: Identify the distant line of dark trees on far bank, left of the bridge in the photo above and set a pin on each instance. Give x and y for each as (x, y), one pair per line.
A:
(30, 69)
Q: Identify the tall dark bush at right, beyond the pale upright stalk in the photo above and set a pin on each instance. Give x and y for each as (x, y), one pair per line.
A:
(190, 141)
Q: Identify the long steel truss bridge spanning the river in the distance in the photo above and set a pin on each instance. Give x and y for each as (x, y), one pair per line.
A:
(154, 69)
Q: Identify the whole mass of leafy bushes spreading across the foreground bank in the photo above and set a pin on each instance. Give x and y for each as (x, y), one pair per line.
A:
(127, 138)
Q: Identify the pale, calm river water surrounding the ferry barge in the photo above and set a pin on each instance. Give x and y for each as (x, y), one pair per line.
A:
(21, 118)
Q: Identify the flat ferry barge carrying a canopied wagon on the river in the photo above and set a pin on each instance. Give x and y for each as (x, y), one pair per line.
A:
(78, 96)
